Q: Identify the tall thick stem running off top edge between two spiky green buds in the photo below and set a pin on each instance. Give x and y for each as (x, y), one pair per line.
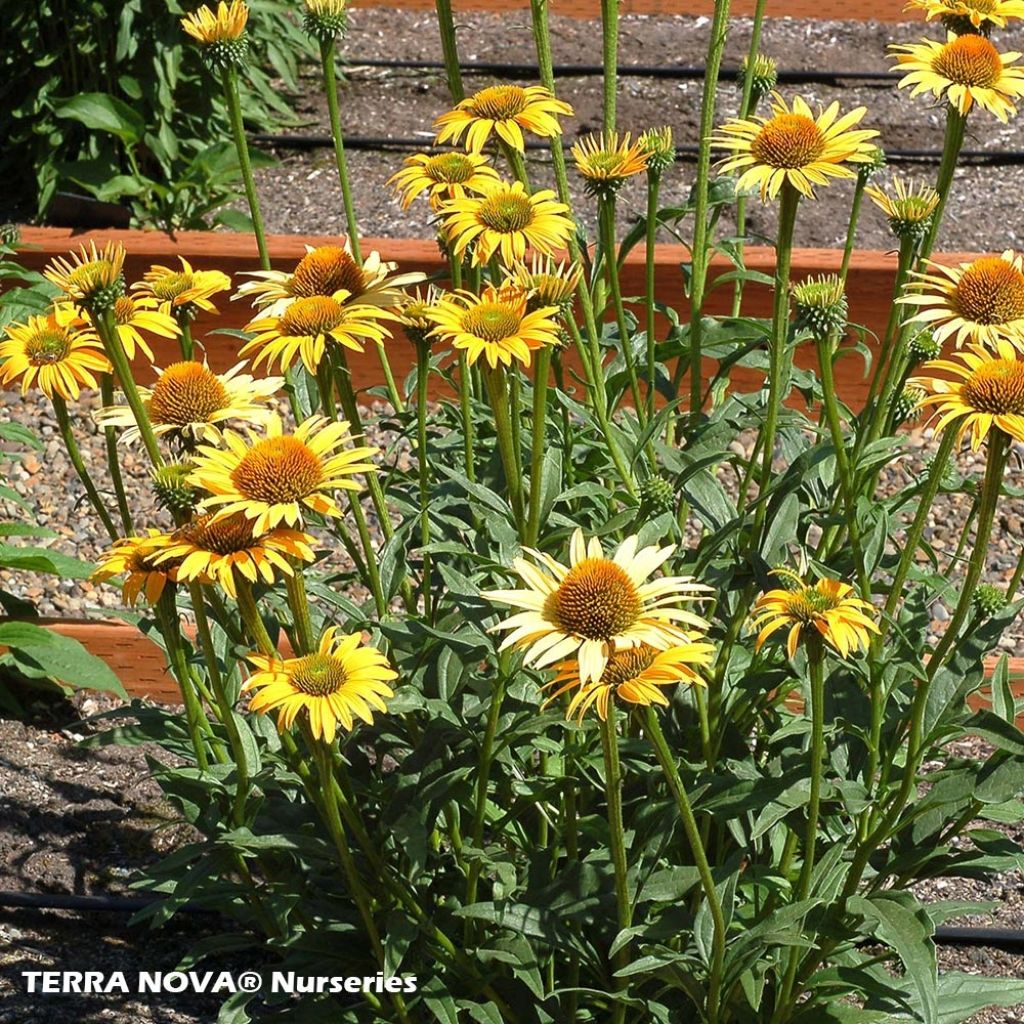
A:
(701, 255)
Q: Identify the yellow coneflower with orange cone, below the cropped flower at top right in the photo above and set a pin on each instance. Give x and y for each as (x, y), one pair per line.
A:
(967, 70)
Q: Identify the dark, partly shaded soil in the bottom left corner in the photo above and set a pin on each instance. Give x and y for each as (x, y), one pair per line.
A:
(83, 822)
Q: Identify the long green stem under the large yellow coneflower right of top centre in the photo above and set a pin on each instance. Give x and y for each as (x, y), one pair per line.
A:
(778, 353)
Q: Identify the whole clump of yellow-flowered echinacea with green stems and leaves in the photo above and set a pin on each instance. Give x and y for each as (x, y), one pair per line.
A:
(571, 685)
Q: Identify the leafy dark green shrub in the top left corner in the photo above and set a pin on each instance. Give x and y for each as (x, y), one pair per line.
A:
(106, 98)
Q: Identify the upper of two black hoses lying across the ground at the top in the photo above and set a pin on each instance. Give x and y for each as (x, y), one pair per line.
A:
(675, 72)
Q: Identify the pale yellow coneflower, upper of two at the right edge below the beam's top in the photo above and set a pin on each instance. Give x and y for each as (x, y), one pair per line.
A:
(980, 302)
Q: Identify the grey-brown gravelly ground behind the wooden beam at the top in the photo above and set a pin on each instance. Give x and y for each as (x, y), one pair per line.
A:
(303, 196)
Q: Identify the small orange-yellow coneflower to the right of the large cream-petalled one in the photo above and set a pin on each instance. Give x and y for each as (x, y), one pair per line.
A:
(826, 607)
